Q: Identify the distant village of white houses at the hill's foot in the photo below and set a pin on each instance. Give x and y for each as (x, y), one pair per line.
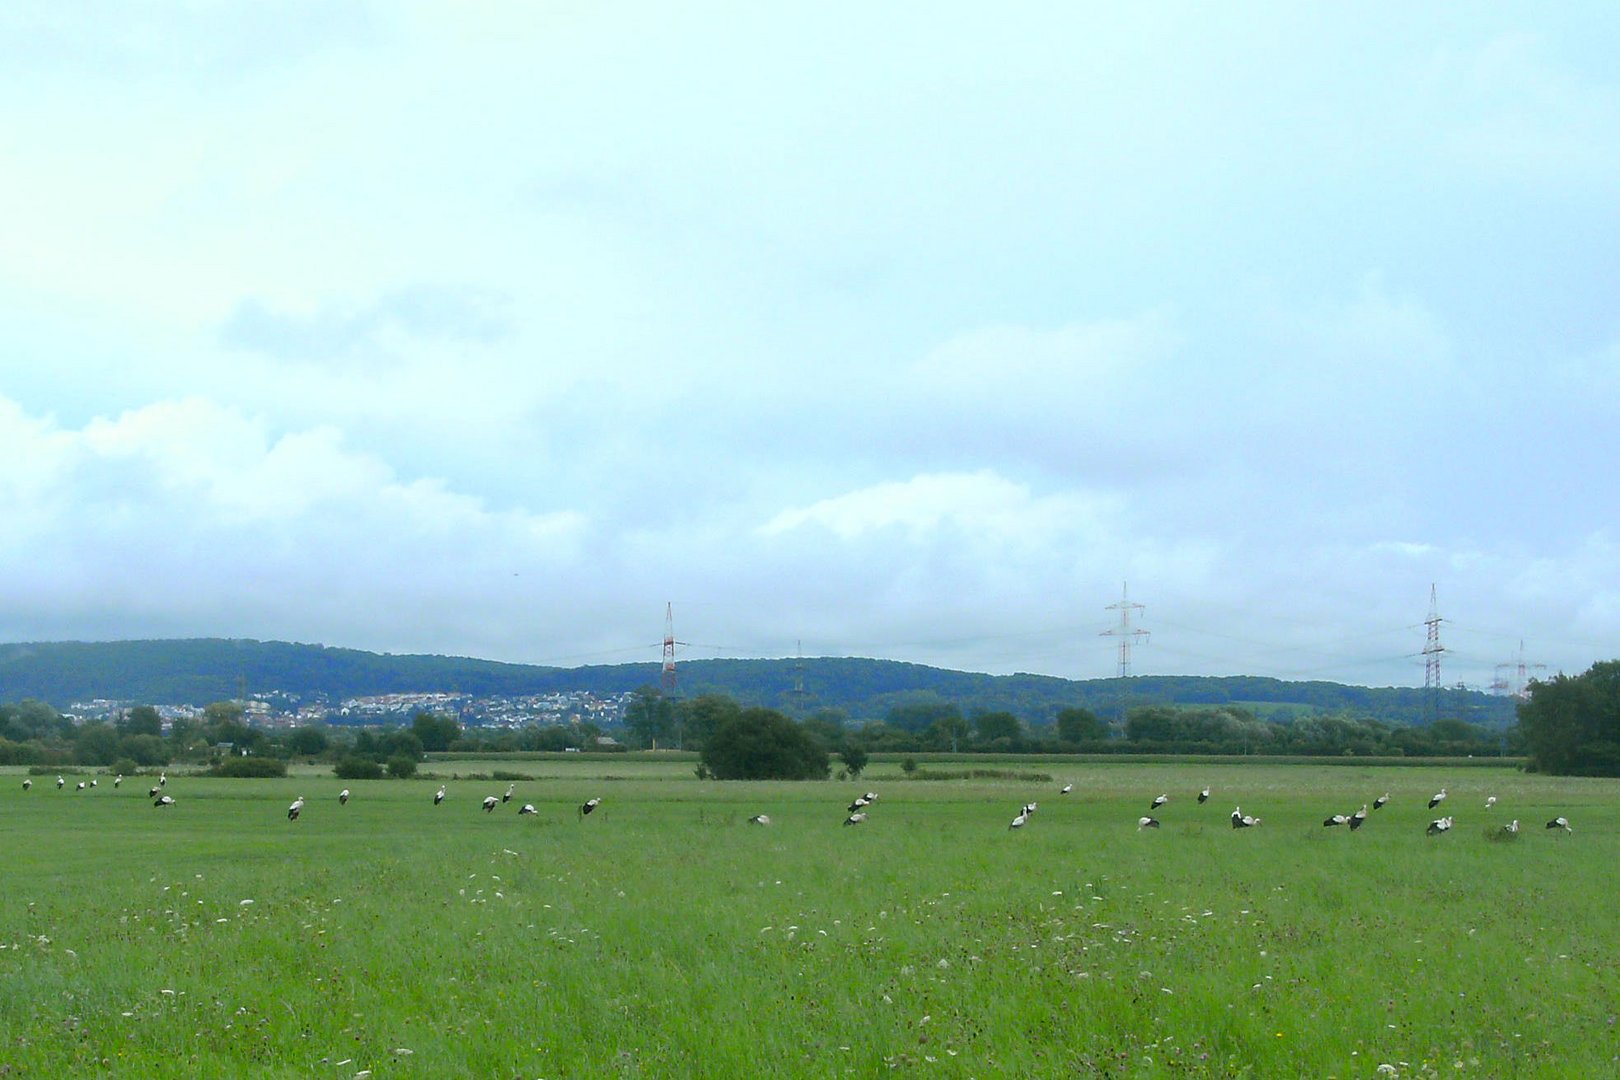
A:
(275, 712)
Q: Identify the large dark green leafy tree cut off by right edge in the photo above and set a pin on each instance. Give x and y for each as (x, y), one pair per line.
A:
(1572, 725)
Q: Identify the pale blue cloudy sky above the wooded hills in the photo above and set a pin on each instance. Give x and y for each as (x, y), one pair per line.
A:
(911, 331)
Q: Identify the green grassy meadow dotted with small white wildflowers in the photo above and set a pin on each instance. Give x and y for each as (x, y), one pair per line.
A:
(665, 937)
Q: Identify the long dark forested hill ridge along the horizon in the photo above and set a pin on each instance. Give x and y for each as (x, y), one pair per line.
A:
(198, 671)
